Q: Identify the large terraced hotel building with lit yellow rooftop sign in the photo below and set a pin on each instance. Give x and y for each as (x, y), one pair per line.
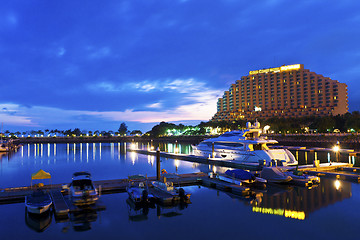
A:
(286, 91)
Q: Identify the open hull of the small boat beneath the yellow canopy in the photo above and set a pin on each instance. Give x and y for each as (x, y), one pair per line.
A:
(38, 202)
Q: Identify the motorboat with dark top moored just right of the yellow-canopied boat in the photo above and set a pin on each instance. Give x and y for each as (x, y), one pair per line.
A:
(82, 189)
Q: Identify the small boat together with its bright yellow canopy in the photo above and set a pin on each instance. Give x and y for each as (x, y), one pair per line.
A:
(39, 201)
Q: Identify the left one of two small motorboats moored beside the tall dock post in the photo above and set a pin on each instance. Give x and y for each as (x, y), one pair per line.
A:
(138, 189)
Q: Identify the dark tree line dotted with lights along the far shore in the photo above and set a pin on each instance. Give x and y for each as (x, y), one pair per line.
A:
(349, 122)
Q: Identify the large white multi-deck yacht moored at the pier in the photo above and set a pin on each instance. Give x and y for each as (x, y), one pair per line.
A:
(245, 146)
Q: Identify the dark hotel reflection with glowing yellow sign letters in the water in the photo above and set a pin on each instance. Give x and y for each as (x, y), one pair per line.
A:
(299, 202)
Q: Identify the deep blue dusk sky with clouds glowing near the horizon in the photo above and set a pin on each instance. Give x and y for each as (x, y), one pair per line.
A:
(94, 64)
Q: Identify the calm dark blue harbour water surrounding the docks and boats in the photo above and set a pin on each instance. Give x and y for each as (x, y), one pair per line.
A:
(329, 211)
